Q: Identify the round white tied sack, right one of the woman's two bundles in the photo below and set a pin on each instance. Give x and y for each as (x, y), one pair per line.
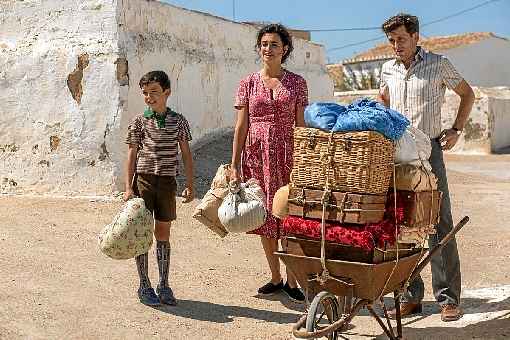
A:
(243, 208)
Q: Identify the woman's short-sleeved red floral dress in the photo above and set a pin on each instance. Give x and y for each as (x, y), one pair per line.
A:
(267, 155)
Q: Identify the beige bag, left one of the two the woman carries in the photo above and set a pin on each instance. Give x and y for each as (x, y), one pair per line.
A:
(207, 211)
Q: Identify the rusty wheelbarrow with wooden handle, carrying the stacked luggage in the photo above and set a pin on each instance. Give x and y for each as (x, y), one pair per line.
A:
(362, 283)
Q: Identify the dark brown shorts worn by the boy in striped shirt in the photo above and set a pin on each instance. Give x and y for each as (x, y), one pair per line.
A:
(158, 192)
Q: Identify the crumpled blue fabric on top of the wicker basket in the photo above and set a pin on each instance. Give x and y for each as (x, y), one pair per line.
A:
(361, 115)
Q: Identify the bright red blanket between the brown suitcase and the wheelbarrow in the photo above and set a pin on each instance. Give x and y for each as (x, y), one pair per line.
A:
(362, 236)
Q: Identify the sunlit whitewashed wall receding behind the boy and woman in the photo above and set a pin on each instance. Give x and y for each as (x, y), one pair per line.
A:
(205, 57)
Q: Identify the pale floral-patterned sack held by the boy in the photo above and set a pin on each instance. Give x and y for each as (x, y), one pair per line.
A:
(130, 233)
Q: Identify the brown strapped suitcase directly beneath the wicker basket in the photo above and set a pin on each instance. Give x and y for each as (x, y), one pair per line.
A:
(341, 207)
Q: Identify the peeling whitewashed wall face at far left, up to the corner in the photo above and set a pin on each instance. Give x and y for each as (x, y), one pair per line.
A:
(40, 42)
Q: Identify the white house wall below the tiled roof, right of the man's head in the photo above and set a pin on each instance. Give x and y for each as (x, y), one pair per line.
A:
(485, 63)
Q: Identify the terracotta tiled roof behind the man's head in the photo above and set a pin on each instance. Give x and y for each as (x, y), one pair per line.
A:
(434, 44)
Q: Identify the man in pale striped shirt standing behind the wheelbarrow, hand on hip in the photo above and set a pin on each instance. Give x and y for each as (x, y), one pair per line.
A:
(414, 84)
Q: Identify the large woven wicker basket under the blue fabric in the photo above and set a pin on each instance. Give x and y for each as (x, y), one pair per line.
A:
(360, 162)
